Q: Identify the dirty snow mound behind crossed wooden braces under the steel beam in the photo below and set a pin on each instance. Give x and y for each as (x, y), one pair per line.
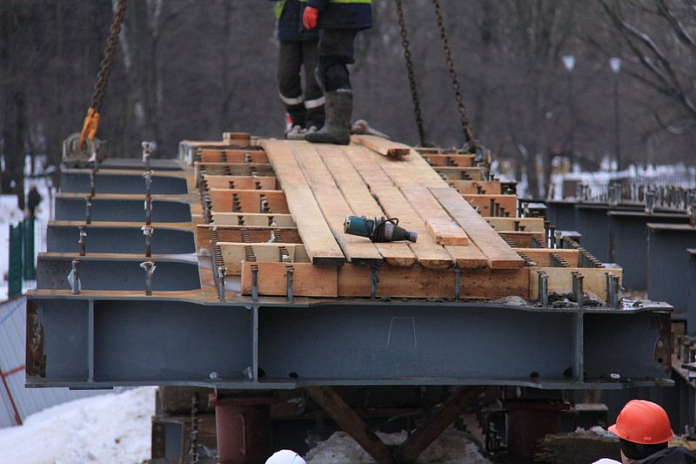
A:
(452, 447)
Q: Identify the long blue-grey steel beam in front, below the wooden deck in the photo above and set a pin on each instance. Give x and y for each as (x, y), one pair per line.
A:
(177, 342)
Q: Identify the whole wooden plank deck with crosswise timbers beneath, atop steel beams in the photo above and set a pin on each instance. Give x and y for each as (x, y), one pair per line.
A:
(278, 209)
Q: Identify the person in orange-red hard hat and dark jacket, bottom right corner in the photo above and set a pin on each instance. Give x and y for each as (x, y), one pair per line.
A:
(644, 431)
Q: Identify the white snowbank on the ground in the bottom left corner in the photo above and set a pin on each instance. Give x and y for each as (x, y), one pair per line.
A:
(109, 428)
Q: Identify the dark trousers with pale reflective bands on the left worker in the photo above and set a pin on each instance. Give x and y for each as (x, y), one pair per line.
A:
(305, 108)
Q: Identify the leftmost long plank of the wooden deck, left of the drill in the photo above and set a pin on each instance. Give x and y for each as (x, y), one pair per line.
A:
(318, 239)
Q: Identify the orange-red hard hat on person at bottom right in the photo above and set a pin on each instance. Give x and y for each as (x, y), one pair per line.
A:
(642, 422)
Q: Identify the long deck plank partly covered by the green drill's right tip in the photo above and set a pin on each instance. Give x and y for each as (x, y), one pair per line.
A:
(392, 201)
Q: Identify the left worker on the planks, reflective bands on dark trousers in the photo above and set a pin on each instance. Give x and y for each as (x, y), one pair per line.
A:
(298, 50)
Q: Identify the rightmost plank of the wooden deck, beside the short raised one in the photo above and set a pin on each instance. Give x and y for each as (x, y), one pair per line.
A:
(500, 254)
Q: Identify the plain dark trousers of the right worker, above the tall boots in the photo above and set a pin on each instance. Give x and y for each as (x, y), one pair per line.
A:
(335, 54)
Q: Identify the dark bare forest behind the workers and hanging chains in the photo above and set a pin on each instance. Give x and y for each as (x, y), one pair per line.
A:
(191, 69)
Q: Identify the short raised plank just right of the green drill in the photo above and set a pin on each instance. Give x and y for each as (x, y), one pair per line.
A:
(440, 225)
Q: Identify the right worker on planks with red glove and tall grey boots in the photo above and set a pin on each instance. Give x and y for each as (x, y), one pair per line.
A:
(338, 22)
